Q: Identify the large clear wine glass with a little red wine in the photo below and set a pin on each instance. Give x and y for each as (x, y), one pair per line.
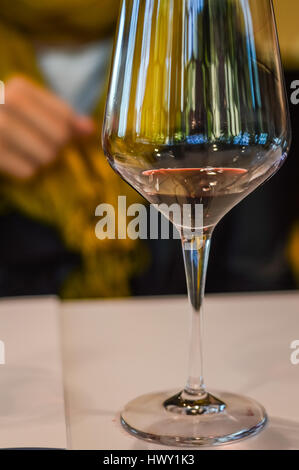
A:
(196, 114)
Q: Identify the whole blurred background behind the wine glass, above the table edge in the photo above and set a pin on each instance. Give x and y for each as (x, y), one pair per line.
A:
(54, 61)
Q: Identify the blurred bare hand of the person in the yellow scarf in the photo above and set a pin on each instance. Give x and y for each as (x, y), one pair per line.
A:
(35, 125)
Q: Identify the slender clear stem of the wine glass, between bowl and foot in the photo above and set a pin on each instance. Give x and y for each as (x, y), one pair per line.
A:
(196, 255)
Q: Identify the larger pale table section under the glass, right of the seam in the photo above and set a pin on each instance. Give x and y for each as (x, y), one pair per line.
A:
(116, 350)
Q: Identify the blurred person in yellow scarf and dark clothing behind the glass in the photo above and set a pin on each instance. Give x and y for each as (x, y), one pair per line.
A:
(54, 61)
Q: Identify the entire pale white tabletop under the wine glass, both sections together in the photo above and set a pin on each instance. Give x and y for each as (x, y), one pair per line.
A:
(115, 350)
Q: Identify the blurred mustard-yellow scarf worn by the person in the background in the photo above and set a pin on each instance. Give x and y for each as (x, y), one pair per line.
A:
(67, 195)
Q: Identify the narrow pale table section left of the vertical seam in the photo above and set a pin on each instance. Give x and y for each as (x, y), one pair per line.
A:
(31, 381)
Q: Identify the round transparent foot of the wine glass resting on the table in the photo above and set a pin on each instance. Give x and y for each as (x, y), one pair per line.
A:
(147, 417)
